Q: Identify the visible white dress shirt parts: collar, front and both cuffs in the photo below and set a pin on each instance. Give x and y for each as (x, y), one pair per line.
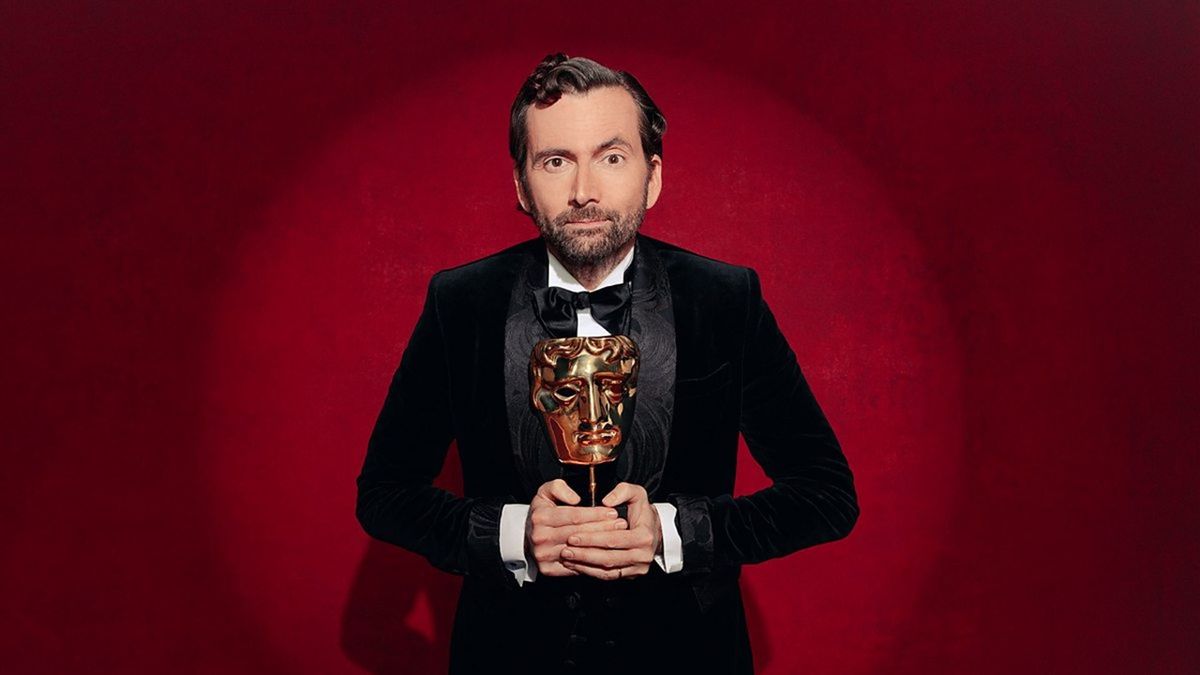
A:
(514, 517)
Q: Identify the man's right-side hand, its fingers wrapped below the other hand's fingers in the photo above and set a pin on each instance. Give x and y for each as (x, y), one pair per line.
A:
(619, 554)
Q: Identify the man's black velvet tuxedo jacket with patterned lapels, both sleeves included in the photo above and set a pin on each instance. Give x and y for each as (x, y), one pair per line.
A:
(731, 373)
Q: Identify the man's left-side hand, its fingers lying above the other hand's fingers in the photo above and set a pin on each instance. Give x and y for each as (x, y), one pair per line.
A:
(551, 525)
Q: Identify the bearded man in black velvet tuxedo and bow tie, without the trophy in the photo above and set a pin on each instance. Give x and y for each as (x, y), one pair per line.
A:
(559, 587)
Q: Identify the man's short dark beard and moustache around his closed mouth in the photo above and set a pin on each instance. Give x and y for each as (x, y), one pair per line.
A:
(578, 248)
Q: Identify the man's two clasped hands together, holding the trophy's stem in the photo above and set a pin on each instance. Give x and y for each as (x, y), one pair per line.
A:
(568, 540)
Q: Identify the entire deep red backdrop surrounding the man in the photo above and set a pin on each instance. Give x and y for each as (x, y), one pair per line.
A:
(977, 226)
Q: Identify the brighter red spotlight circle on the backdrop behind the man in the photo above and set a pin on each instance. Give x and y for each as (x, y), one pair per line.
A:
(323, 296)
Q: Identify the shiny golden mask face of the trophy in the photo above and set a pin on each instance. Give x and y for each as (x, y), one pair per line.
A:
(585, 390)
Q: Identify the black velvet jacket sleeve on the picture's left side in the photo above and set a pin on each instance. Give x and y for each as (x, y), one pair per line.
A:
(397, 500)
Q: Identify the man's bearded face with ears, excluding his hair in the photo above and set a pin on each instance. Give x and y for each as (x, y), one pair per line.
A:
(587, 182)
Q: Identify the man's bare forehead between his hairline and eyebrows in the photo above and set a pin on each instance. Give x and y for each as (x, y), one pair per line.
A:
(581, 122)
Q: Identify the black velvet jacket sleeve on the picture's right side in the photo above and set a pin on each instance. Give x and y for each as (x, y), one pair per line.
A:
(812, 499)
